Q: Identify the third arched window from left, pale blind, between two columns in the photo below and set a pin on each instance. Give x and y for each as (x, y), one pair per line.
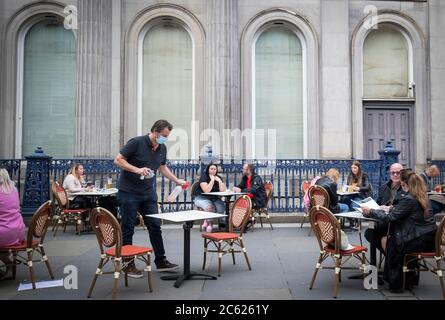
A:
(278, 92)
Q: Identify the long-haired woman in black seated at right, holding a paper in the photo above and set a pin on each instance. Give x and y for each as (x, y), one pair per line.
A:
(412, 229)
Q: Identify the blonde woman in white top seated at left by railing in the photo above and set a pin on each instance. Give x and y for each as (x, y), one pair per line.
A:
(73, 184)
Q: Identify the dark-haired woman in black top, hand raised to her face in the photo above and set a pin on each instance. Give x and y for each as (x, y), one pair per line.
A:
(210, 182)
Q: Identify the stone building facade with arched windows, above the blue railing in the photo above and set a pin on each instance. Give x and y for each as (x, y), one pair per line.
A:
(333, 78)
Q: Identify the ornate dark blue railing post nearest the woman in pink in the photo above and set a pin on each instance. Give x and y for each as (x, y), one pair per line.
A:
(36, 181)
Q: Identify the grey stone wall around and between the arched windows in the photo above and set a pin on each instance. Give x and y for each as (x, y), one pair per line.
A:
(224, 21)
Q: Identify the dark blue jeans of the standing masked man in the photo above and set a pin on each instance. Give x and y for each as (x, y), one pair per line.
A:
(146, 204)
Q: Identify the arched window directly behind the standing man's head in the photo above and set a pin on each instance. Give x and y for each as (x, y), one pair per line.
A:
(167, 83)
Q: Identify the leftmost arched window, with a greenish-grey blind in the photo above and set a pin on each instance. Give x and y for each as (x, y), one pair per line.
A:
(49, 84)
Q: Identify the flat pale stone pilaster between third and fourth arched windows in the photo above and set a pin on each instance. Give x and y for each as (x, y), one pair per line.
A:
(336, 110)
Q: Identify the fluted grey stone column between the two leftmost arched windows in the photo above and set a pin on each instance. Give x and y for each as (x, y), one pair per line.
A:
(94, 56)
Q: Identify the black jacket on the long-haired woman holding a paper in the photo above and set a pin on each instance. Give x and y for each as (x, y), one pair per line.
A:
(407, 218)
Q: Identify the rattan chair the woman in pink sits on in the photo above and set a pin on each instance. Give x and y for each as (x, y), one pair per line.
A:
(33, 243)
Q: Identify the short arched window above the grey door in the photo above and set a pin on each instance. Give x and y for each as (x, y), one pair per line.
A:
(386, 63)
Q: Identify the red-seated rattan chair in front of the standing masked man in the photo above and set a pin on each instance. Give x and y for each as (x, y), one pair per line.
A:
(109, 237)
